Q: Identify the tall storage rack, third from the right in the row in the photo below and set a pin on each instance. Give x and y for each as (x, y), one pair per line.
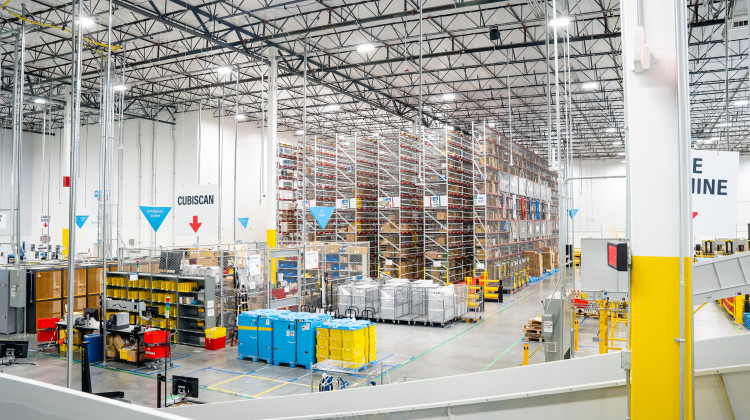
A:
(400, 206)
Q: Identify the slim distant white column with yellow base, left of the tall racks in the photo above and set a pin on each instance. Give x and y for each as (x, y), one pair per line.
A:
(273, 146)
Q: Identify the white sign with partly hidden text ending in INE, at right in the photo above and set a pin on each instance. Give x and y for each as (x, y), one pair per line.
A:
(714, 178)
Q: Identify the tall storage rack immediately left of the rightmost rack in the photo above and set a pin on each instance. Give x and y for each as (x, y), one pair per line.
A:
(448, 203)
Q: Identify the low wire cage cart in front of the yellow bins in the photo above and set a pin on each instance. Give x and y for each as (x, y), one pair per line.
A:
(331, 375)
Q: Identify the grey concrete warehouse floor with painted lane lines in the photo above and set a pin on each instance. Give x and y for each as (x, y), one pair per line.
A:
(407, 352)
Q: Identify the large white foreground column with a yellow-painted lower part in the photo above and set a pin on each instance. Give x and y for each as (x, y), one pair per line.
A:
(656, 120)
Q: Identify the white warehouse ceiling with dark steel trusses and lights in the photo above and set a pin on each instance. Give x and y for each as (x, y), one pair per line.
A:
(363, 71)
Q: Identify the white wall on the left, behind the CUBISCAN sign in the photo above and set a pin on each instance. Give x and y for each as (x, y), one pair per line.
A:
(134, 226)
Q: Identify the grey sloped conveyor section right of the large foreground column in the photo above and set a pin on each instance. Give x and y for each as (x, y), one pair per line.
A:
(721, 278)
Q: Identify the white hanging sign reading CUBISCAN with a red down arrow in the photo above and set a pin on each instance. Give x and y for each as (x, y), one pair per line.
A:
(196, 210)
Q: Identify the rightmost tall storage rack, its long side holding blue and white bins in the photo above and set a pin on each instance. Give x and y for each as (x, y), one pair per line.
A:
(515, 204)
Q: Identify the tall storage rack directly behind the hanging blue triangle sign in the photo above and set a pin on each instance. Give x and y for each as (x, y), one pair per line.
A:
(320, 170)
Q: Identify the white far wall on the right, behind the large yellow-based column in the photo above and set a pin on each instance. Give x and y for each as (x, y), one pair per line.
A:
(601, 202)
